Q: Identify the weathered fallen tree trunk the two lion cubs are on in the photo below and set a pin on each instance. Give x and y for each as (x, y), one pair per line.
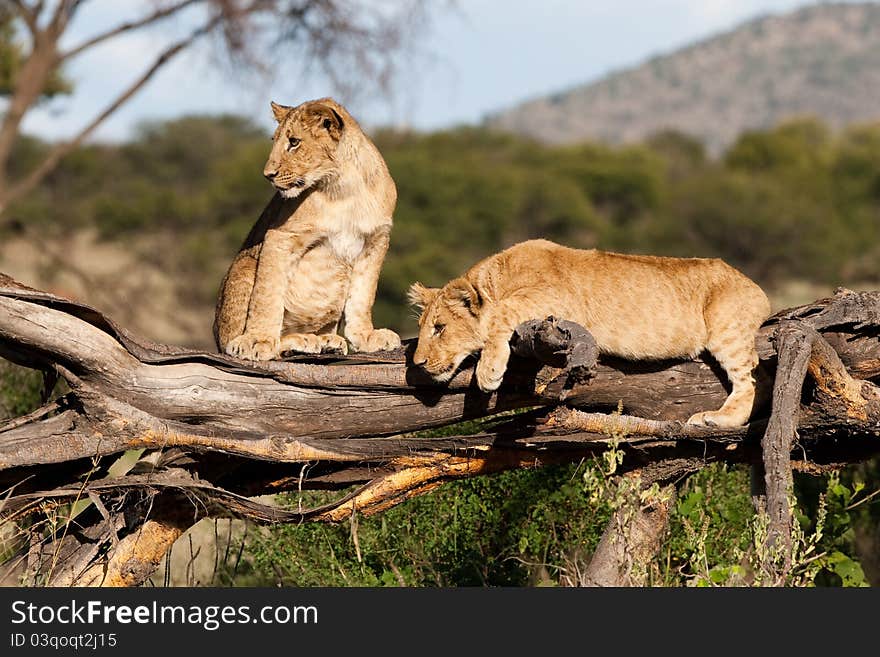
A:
(215, 432)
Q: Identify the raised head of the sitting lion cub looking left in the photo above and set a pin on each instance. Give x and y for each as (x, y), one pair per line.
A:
(304, 145)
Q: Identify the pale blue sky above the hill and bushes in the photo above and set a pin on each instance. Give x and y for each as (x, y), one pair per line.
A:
(478, 57)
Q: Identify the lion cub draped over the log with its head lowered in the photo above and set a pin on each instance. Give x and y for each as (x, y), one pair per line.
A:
(636, 307)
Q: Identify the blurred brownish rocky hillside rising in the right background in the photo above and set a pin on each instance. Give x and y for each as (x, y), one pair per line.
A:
(822, 60)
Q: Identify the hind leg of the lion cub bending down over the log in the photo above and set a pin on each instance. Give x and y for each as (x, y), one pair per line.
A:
(733, 323)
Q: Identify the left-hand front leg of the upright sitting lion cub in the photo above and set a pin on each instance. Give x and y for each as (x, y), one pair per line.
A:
(261, 339)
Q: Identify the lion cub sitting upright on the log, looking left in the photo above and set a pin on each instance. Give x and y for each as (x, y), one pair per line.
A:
(313, 257)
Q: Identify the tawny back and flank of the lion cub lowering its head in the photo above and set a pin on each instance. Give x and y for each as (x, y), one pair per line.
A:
(637, 307)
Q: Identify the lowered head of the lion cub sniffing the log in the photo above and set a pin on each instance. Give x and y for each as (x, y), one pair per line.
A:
(449, 326)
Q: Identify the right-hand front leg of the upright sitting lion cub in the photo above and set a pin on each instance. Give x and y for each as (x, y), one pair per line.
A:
(361, 295)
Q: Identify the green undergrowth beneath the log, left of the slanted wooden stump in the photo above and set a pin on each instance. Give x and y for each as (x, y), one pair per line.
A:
(509, 529)
